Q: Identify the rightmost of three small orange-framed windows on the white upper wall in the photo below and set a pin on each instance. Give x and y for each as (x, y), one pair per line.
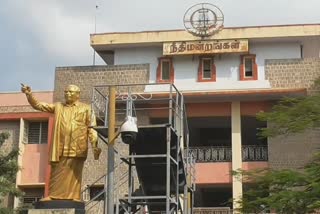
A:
(248, 67)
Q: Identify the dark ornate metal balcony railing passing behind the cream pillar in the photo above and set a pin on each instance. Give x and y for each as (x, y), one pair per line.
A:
(224, 153)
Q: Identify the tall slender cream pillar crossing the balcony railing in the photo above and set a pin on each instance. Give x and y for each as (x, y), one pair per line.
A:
(236, 151)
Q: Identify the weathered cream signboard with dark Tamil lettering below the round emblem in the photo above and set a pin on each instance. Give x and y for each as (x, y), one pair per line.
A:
(205, 47)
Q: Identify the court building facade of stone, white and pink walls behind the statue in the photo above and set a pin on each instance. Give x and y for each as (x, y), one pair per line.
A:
(226, 79)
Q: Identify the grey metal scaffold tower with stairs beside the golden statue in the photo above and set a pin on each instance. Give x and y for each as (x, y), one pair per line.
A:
(158, 159)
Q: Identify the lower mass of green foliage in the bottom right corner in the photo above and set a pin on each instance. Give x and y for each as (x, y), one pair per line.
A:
(283, 191)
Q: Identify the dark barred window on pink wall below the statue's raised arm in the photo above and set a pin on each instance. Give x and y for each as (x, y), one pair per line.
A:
(38, 133)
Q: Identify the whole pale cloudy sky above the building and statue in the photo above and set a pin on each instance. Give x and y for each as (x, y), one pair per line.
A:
(39, 35)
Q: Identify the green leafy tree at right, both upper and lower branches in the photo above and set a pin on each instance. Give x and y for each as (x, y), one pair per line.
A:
(287, 191)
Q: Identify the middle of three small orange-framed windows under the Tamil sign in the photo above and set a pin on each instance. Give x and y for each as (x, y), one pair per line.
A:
(206, 70)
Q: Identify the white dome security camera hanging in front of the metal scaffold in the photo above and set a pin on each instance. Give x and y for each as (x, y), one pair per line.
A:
(129, 130)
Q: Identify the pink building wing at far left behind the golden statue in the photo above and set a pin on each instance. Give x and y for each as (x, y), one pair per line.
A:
(30, 131)
